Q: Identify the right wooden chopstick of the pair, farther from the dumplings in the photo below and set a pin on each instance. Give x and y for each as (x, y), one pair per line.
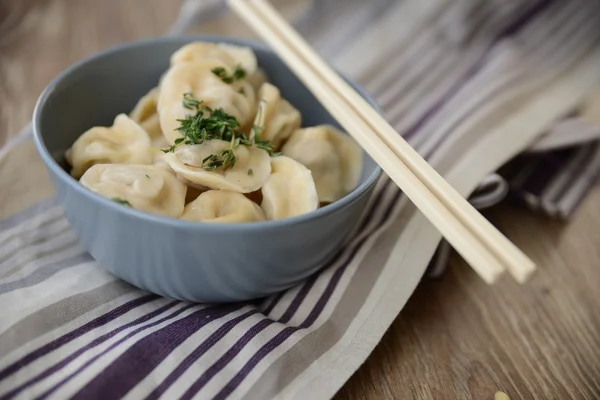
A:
(518, 264)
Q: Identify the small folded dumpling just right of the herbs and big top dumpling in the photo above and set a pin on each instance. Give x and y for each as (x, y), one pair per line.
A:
(277, 117)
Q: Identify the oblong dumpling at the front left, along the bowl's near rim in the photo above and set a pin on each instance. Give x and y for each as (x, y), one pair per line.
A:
(143, 187)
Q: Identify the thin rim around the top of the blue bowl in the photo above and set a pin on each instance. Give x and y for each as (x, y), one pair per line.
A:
(102, 201)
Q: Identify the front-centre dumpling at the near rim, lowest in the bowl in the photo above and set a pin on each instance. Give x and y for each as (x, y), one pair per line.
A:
(222, 206)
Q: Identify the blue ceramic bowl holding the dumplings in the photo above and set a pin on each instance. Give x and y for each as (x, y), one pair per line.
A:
(203, 262)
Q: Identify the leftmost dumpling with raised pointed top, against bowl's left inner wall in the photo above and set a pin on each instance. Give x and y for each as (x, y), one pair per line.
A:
(125, 142)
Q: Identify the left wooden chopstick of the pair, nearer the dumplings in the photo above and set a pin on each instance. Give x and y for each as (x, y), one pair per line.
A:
(483, 261)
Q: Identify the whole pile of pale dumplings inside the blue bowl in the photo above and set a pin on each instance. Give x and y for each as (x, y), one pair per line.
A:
(302, 169)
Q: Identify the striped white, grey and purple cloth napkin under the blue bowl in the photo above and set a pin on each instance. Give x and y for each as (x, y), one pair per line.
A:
(470, 84)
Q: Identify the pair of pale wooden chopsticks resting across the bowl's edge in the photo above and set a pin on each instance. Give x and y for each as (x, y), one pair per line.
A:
(487, 251)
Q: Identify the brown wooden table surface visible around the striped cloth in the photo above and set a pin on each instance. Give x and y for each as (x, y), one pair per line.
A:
(457, 338)
